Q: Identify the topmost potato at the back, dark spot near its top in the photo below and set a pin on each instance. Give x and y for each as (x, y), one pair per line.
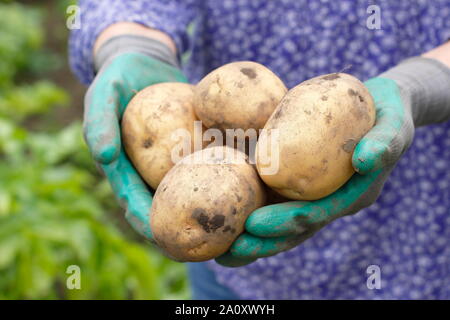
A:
(238, 95)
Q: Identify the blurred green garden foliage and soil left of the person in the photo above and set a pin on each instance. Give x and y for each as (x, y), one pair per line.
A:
(56, 210)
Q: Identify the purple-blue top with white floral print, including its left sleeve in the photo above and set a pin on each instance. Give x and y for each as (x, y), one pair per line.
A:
(407, 231)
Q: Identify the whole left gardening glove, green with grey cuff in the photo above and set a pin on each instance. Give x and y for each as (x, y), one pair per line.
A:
(126, 64)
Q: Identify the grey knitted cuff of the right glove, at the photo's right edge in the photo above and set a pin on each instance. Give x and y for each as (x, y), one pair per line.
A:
(425, 87)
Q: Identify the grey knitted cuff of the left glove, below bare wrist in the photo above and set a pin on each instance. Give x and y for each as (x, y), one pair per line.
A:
(127, 43)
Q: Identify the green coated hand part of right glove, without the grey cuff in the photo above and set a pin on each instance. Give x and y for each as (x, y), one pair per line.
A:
(280, 227)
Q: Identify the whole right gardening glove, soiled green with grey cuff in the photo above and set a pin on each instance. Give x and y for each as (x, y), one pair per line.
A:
(412, 94)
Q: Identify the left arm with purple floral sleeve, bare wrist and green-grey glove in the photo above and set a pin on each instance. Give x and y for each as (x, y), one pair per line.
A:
(121, 48)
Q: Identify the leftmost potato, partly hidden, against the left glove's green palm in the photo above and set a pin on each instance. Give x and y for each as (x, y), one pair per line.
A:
(149, 121)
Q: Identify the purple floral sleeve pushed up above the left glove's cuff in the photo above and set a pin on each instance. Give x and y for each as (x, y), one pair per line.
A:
(169, 16)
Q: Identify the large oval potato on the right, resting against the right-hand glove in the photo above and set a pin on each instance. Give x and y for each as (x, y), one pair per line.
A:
(319, 123)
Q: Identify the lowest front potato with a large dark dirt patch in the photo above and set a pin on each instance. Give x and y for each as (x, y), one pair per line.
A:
(200, 207)
